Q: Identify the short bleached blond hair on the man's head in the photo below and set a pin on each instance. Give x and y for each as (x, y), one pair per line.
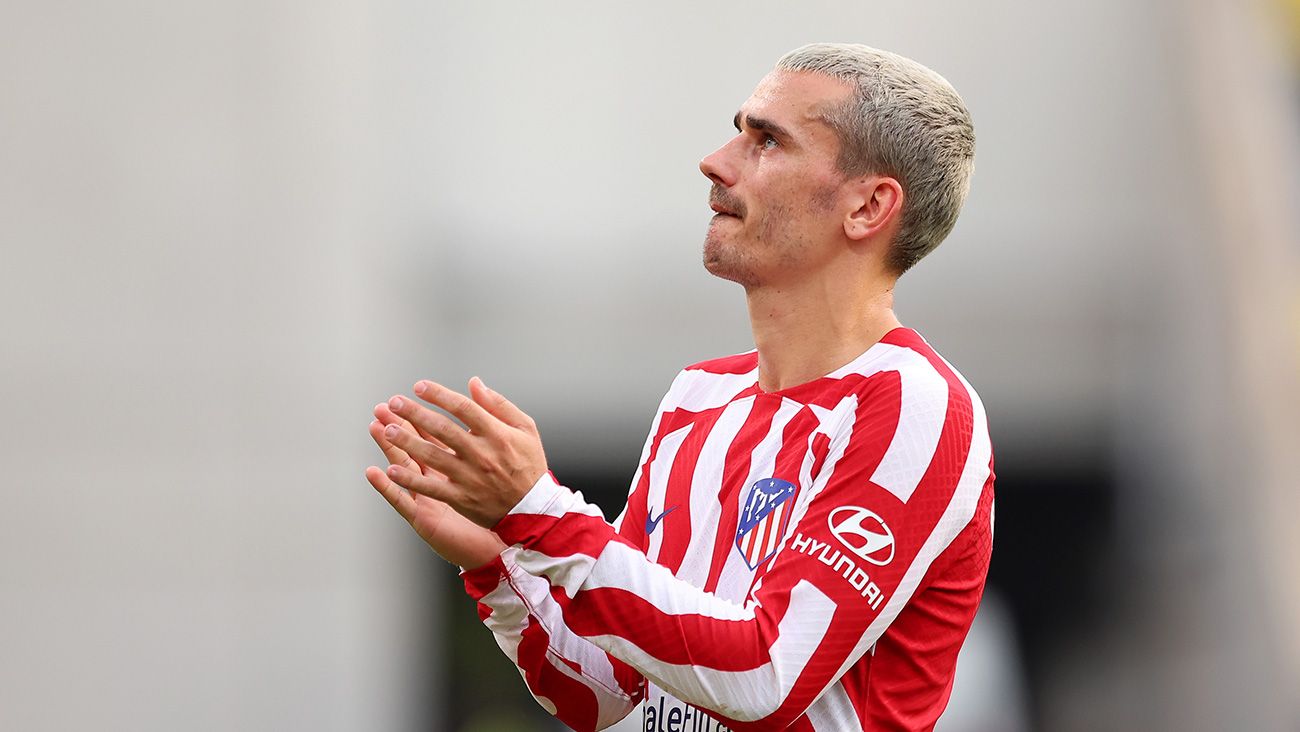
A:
(904, 122)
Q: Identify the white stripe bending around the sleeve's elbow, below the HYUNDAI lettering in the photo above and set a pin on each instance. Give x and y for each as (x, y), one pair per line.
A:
(744, 696)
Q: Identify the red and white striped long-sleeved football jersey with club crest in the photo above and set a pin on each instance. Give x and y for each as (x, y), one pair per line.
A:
(803, 560)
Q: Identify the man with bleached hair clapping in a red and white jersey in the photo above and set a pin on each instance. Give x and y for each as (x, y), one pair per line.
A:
(808, 534)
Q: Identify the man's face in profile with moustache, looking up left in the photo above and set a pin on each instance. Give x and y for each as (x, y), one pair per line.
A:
(777, 184)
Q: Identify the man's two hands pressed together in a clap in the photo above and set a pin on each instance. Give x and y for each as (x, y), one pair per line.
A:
(454, 482)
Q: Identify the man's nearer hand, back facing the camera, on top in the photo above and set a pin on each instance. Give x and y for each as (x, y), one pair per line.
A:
(483, 469)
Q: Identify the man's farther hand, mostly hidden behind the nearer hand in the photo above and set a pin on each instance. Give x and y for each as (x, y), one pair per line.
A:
(456, 539)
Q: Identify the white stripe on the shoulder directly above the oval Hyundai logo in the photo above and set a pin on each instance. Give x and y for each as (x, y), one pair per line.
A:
(921, 422)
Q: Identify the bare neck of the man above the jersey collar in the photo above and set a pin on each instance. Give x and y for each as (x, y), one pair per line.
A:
(807, 332)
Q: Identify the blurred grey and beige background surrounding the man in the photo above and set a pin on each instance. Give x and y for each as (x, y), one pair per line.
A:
(231, 228)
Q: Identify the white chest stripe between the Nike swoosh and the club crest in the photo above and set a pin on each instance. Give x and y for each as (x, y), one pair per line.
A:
(705, 486)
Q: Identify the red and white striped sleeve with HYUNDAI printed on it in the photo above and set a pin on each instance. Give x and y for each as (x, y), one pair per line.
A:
(891, 487)
